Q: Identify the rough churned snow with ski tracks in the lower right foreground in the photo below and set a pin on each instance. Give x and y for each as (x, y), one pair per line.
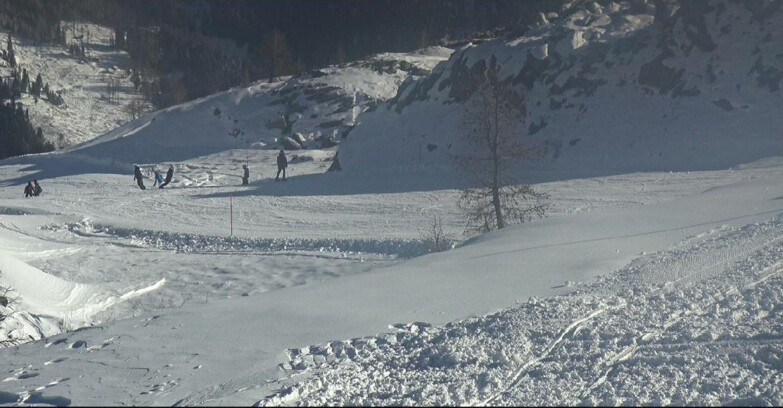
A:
(700, 323)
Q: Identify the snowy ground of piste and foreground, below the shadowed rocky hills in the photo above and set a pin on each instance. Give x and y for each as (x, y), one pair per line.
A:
(647, 288)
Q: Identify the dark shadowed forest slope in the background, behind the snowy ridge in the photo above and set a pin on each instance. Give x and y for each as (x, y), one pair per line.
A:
(179, 50)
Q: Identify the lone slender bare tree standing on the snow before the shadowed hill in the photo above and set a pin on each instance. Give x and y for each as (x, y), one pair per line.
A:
(494, 119)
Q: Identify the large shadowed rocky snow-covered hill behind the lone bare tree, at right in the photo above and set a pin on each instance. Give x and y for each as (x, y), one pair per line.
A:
(697, 84)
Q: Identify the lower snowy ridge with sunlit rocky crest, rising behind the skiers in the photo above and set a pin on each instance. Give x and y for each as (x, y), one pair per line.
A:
(316, 109)
